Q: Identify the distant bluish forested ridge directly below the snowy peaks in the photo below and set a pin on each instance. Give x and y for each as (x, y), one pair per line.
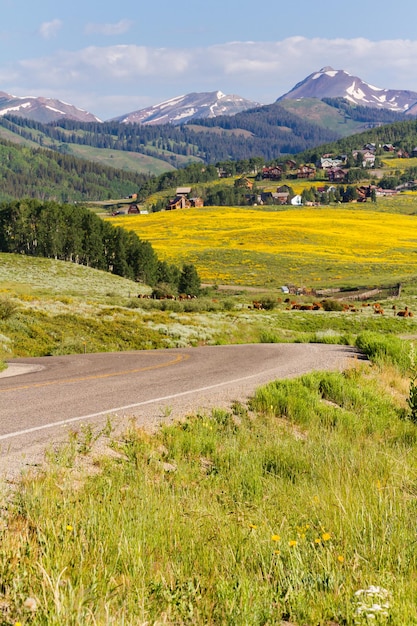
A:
(266, 131)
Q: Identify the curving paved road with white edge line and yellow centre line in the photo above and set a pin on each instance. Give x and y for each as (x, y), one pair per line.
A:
(42, 399)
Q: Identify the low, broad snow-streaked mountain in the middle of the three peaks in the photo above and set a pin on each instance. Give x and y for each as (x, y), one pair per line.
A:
(191, 106)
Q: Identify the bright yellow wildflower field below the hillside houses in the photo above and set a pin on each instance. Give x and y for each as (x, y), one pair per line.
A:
(264, 247)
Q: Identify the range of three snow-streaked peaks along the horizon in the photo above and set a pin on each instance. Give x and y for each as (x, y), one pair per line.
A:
(323, 84)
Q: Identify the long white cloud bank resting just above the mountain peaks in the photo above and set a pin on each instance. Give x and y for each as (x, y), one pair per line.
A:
(260, 71)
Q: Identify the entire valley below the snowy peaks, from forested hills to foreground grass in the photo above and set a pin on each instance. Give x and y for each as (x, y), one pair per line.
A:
(252, 502)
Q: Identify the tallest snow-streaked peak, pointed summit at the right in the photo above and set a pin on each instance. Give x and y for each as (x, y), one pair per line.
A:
(330, 83)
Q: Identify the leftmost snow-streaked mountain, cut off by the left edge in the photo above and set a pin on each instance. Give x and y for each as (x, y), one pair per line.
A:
(42, 109)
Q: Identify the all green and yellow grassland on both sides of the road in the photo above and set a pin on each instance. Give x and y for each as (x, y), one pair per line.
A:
(296, 508)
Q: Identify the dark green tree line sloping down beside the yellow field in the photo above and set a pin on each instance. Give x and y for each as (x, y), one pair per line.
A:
(75, 234)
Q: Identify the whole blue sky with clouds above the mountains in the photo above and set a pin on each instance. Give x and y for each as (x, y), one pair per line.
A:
(112, 58)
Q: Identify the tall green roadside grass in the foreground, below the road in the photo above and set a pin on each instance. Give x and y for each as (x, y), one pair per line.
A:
(281, 510)
